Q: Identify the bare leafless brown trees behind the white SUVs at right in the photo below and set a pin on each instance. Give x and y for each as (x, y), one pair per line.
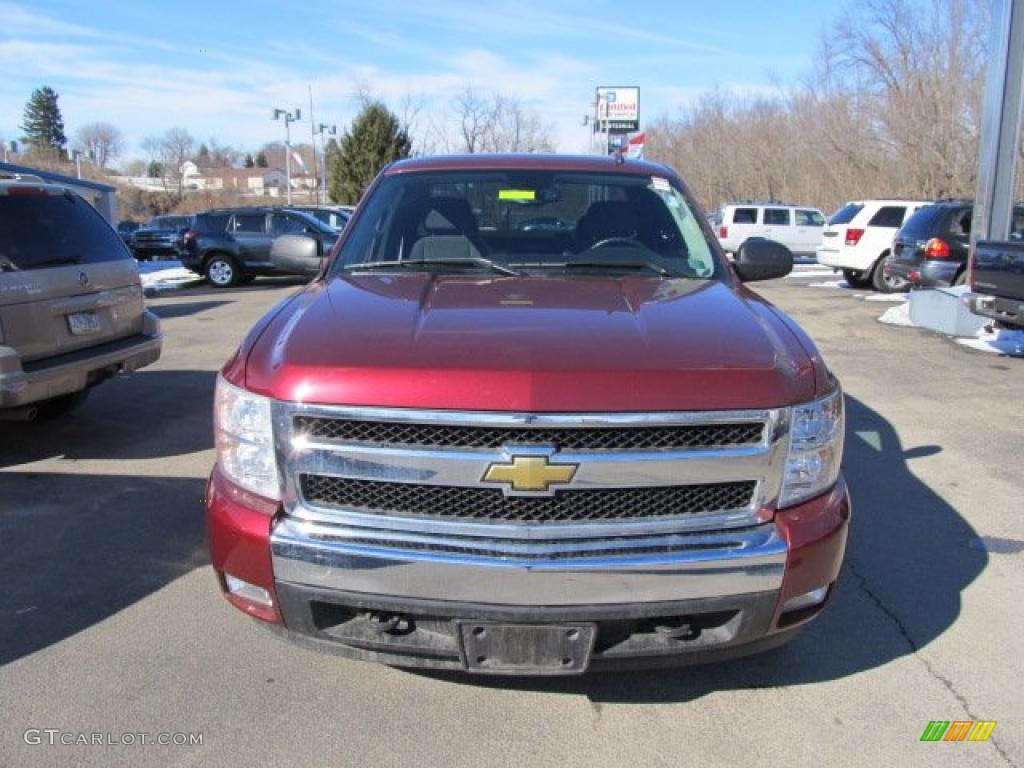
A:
(891, 107)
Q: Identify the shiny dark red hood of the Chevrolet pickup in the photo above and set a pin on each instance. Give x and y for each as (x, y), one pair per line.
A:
(533, 345)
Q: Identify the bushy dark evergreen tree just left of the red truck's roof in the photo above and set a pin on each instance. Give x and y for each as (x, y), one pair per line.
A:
(374, 140)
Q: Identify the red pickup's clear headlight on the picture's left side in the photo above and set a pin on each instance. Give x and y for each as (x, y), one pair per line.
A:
(245, 440)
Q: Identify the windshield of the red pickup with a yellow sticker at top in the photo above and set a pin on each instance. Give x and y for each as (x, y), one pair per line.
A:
(530, 222)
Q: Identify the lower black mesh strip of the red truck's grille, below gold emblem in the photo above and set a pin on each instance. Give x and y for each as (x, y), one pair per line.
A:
(457, 503)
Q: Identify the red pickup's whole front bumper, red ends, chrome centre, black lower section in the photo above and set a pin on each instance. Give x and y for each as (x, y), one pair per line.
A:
(337, 598)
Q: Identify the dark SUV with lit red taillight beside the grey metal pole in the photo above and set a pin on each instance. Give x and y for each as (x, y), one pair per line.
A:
(932, 247)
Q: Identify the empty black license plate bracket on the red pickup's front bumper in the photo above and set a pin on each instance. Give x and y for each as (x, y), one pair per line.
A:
(527, 649)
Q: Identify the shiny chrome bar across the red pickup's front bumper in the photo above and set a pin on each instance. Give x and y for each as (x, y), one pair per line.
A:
(558, 574)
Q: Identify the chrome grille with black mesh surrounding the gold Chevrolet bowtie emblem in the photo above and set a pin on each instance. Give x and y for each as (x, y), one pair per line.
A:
(414, 481)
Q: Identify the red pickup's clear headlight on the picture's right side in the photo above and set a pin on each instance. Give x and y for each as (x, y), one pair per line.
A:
(817, 432)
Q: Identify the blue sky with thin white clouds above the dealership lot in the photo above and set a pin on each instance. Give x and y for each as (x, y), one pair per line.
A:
(220, 69)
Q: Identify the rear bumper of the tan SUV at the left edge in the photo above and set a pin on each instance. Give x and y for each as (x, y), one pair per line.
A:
(22, 385)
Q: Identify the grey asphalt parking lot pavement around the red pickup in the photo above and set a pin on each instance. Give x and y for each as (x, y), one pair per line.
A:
(112, 622)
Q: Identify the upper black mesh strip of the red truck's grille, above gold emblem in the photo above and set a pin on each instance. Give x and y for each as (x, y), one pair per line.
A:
(567, 439)
